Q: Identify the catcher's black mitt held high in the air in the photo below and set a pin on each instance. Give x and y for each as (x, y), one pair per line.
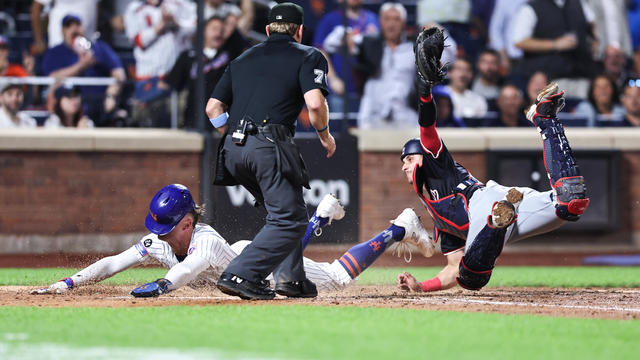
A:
(428, 50)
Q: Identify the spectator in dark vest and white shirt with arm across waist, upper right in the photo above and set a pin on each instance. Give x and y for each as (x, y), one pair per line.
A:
(556, 37)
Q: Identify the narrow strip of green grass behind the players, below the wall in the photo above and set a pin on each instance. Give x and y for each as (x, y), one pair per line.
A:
(502, 276)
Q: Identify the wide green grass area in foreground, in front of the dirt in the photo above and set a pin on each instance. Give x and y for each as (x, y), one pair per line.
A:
(311, 332)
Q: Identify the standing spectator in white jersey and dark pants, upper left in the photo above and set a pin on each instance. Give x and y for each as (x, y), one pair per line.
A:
(160, 31)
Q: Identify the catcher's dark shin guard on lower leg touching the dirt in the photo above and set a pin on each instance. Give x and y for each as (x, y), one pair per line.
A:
(478, 261)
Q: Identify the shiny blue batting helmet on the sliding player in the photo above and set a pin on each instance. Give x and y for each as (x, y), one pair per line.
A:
(168, 207)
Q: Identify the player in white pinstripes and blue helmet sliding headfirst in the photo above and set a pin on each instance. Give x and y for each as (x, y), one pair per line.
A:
(196, 254)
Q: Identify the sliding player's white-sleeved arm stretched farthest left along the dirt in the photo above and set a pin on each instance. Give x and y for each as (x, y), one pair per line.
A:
(96, 272)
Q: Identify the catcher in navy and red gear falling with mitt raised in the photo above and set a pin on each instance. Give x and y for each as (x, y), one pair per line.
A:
(472, 220)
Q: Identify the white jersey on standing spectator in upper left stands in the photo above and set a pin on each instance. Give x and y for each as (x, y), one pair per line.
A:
(156, 53)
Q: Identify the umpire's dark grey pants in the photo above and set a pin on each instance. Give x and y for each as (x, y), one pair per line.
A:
(277, 247)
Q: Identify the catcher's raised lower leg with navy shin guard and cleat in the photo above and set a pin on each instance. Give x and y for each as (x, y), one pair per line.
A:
(562, 169)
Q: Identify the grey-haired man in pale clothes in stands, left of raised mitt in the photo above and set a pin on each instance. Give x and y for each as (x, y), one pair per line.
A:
(388, 59)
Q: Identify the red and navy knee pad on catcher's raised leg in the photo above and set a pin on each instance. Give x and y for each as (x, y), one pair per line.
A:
(571, 194)
